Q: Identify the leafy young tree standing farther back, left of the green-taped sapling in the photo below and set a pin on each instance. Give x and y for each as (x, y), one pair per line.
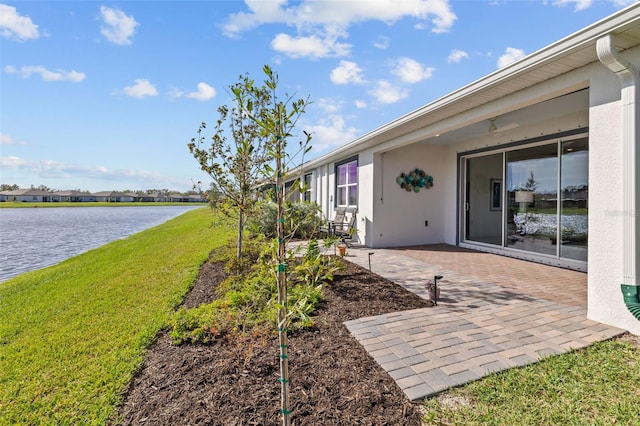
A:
(238, 153)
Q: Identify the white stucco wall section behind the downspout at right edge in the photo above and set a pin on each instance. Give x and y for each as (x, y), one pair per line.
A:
(605, 302)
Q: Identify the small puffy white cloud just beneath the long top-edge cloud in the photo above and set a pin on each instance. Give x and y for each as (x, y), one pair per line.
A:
(312, 46)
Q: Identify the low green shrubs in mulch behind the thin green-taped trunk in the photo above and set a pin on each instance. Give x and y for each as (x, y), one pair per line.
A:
(248, 303)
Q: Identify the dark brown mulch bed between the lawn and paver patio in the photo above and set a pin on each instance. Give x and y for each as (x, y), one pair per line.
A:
(234, 381)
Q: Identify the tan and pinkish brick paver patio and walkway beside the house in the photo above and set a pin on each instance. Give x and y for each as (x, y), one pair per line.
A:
(494, 313)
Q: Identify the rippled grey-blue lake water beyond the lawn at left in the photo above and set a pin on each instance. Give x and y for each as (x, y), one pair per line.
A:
(32, 238)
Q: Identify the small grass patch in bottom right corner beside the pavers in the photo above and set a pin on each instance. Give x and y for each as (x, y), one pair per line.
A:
(598, 385)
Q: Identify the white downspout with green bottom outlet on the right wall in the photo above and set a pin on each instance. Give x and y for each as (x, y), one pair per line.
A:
(630, 95)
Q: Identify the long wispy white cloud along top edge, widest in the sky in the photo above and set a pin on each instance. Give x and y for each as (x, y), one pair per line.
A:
(339, 14)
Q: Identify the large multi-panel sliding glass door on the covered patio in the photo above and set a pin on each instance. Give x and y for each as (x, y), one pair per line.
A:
(529, 198)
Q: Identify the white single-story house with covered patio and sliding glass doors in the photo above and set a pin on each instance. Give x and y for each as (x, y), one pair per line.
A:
(537, 160)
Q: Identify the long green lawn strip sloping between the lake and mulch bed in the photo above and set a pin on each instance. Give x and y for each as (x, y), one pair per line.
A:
(72, 335)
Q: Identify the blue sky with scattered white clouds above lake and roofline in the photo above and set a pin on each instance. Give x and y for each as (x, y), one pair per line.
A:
(98, 95)
